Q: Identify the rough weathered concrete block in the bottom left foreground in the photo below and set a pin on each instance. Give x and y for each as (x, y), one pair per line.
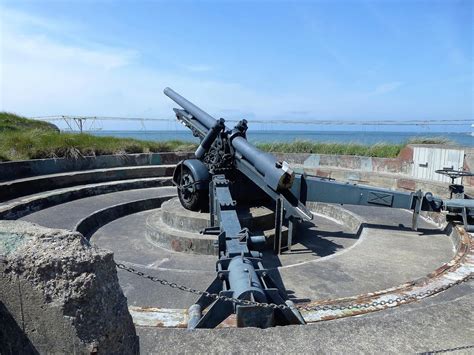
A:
(59, 294)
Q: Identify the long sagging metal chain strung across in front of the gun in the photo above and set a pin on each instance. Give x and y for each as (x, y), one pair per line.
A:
(348, 306)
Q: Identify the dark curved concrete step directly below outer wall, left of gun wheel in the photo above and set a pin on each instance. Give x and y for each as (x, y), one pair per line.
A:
(28, 186)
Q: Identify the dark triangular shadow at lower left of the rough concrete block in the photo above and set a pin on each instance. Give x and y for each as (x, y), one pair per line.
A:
(13, 339)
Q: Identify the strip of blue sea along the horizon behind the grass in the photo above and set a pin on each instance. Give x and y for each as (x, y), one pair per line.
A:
(361, 137)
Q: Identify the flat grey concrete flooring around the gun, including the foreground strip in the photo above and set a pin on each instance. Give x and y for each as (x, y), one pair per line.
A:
(328, 261)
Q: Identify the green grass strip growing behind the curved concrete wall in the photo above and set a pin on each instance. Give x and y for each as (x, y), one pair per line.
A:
(22, 139)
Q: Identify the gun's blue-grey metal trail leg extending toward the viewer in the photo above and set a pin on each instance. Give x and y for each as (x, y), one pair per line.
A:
(240, 273)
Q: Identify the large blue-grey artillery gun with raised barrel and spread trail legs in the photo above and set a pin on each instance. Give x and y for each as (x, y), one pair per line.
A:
(229, 170)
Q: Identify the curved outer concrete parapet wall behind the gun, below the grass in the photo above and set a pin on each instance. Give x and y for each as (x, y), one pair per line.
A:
(394, 173)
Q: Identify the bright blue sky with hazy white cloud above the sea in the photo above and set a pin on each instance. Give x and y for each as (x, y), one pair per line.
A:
(271, 60)
